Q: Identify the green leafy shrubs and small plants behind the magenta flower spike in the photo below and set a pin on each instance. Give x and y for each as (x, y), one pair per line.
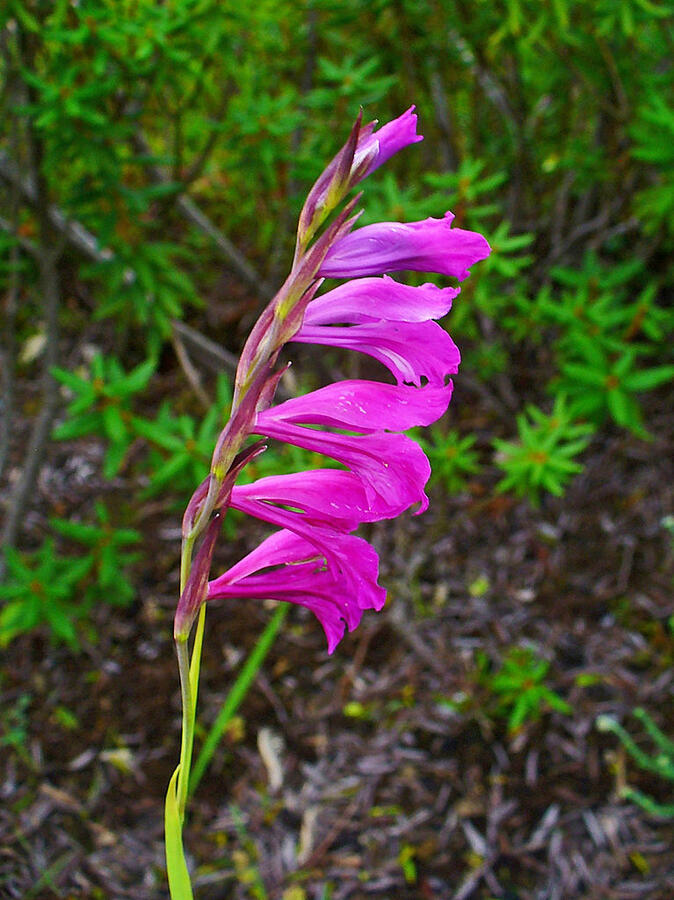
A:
(153, 161)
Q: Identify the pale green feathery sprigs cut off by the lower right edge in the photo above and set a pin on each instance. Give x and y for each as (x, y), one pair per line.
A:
(661, 763)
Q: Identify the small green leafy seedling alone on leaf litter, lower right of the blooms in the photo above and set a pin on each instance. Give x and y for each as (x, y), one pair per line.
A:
(518, 687)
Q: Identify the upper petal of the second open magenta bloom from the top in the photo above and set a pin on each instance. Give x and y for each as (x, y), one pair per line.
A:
(368, 299)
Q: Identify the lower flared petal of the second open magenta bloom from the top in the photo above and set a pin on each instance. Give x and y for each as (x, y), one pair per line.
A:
(410, 350)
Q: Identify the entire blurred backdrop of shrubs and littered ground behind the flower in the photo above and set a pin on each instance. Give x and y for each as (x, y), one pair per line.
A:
(504, 728)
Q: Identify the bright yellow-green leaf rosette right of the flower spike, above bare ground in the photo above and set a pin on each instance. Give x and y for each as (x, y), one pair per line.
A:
(544, 457)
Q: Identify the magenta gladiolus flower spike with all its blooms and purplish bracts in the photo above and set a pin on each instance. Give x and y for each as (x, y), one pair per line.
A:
(314, 559)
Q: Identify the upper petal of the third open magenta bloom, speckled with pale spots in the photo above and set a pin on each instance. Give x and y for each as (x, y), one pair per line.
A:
(364, 406)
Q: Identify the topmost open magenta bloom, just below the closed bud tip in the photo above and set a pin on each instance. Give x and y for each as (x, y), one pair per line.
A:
(431, 245)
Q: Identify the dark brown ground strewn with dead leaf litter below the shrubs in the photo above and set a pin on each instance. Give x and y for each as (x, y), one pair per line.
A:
(386, 792)
